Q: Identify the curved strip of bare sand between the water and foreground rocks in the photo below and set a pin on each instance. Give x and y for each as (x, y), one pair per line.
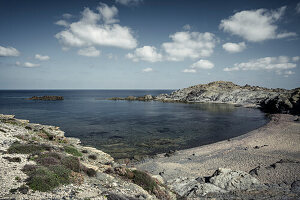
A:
(270, 153)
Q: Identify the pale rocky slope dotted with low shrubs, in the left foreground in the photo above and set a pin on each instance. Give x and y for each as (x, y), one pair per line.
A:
(39, 162)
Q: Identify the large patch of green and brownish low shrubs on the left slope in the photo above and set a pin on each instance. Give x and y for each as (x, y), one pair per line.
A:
(53, 167)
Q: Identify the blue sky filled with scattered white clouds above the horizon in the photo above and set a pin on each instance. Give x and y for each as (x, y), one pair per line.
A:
(148, 44)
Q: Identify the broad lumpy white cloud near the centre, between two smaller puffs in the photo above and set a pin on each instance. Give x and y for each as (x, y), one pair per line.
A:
(189, 45)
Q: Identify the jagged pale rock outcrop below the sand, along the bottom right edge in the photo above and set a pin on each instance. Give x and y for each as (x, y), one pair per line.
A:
(231, 184)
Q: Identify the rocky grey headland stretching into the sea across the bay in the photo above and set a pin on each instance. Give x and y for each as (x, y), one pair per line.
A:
(269, 100)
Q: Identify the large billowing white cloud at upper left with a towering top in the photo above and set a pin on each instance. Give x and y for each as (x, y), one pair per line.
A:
(95, 28)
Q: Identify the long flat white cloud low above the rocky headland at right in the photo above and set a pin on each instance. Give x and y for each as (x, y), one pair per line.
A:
(268, 63)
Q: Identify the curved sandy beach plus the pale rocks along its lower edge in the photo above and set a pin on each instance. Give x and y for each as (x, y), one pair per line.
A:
(270, 155)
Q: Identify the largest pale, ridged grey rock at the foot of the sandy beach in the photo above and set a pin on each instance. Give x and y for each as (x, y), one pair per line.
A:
(233, 180)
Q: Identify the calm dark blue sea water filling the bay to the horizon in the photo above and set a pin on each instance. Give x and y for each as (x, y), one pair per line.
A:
(124, 128)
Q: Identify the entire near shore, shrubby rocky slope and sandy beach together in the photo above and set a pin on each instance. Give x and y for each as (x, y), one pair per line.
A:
(245, 167)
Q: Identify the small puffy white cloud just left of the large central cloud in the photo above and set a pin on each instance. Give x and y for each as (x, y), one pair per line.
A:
(146, 53)
